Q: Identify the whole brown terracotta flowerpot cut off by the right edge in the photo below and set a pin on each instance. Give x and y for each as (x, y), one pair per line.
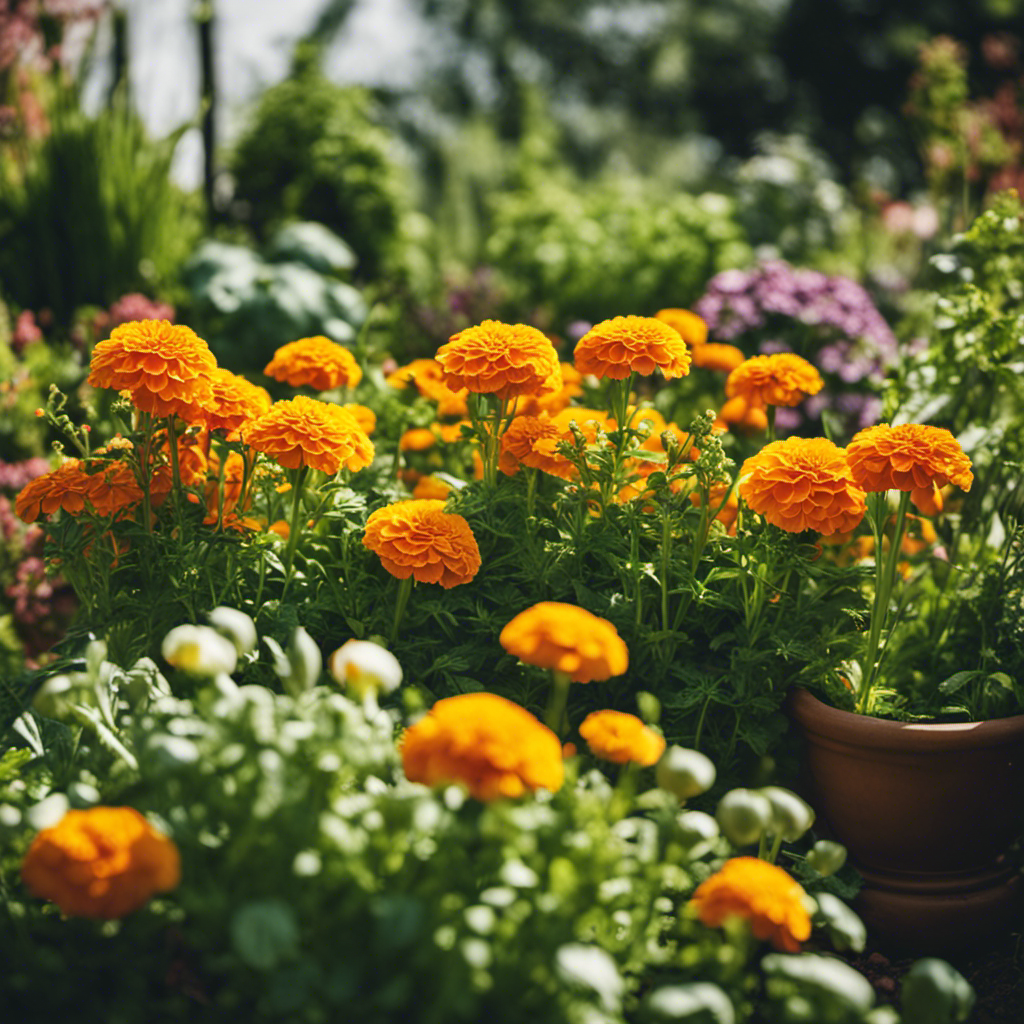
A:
(928, 814)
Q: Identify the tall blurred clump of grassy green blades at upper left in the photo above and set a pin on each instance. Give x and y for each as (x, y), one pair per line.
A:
(89, 212)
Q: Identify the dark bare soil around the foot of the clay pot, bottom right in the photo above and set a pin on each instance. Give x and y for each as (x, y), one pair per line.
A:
(997, 974)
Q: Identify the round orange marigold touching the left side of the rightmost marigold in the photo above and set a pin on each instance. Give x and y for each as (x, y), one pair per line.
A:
(803, 484)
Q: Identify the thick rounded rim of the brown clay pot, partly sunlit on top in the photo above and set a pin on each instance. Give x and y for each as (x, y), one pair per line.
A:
(818, 717)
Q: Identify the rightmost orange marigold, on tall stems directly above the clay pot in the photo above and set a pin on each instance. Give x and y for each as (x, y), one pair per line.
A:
(912, 457)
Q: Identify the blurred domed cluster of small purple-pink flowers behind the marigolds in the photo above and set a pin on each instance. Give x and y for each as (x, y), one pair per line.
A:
(859, 343)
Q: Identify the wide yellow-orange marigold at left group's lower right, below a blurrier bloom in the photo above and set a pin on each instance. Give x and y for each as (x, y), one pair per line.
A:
(304, 432)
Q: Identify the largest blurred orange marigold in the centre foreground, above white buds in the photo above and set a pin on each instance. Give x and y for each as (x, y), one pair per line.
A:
(492, 746)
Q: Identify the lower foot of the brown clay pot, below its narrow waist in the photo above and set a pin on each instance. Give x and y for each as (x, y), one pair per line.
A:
(941, 916)
